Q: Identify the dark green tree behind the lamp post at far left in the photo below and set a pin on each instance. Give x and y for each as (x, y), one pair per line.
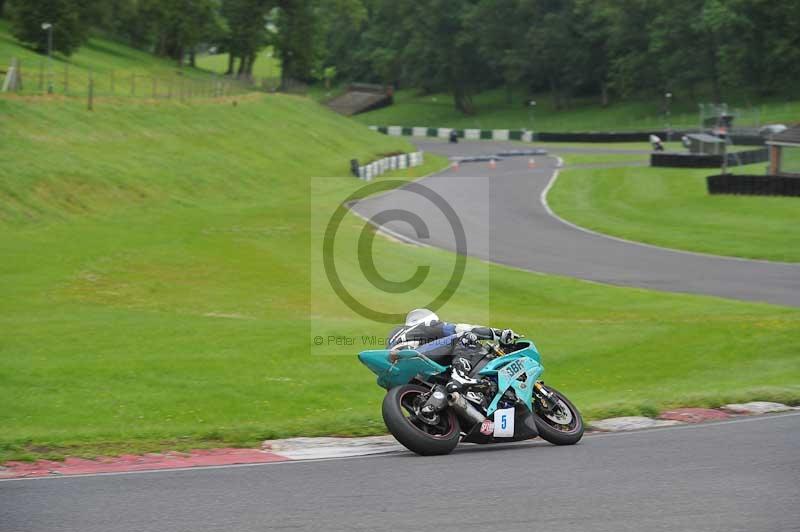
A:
(69, 18)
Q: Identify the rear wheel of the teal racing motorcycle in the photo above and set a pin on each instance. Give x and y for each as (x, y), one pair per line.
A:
(401, 407)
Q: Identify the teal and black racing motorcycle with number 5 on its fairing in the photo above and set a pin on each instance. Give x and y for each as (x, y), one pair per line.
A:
(508, 403)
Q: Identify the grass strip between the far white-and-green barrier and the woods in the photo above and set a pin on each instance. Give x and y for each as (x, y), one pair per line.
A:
(412, 109)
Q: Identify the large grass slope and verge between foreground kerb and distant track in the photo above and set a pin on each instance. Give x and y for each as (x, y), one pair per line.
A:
(160, 288)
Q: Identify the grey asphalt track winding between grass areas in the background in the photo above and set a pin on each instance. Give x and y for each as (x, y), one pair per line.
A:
(505, 221)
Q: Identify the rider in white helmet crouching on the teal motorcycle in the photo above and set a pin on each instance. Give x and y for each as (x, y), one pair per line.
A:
(425, 333)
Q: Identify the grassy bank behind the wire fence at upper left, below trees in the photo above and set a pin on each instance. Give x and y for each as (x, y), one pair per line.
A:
(117, 70)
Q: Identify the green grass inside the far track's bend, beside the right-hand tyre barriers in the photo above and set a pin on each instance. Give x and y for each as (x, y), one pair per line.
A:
(671, 207)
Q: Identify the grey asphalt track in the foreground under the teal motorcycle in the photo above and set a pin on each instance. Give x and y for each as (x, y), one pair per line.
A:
(740, 475)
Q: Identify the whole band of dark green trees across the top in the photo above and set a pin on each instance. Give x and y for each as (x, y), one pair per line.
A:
(569, 48)
